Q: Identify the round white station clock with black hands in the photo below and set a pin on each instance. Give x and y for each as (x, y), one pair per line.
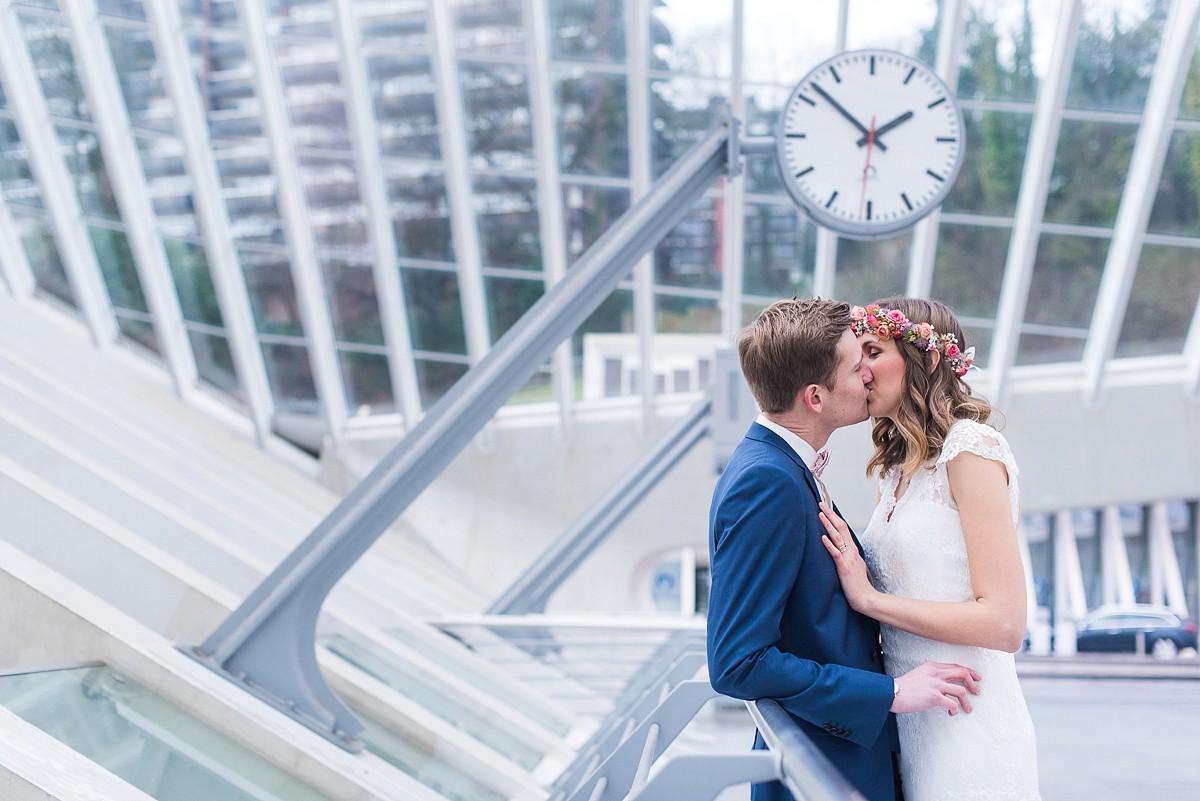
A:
(869, 143)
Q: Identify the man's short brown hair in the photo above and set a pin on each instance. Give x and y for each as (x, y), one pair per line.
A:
(791, 345)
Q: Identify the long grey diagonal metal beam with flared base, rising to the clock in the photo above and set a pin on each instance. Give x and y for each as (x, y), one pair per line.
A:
(268, 645)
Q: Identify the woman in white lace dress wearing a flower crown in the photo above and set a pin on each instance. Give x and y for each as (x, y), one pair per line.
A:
(941, 549)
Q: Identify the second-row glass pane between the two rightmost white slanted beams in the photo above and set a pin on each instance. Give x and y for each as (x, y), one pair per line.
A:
(1090, 172)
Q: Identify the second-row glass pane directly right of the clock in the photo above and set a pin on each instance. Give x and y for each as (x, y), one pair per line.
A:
(994, 159)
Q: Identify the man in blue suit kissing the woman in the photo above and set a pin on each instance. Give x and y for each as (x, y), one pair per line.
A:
(778, 623)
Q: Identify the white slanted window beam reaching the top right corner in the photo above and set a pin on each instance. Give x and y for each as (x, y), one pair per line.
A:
(1141, 190)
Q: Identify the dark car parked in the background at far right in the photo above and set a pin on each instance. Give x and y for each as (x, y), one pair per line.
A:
(1117, 629)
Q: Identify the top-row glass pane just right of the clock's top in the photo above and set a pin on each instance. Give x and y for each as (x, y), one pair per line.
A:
(1000, 44)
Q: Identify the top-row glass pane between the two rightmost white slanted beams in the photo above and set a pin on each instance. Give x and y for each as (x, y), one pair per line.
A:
(1118, 41)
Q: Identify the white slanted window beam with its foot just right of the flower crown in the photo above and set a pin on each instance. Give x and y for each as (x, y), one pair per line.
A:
(1031, 203)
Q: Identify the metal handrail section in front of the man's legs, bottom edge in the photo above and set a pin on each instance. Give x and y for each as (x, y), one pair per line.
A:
(807, 773)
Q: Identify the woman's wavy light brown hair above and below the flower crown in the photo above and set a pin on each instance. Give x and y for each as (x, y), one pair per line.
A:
(934, 399)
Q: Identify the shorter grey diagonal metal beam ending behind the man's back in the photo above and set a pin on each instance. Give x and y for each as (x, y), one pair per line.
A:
(533, 589)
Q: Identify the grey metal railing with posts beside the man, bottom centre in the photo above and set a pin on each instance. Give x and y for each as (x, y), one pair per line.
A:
(641, 676)
